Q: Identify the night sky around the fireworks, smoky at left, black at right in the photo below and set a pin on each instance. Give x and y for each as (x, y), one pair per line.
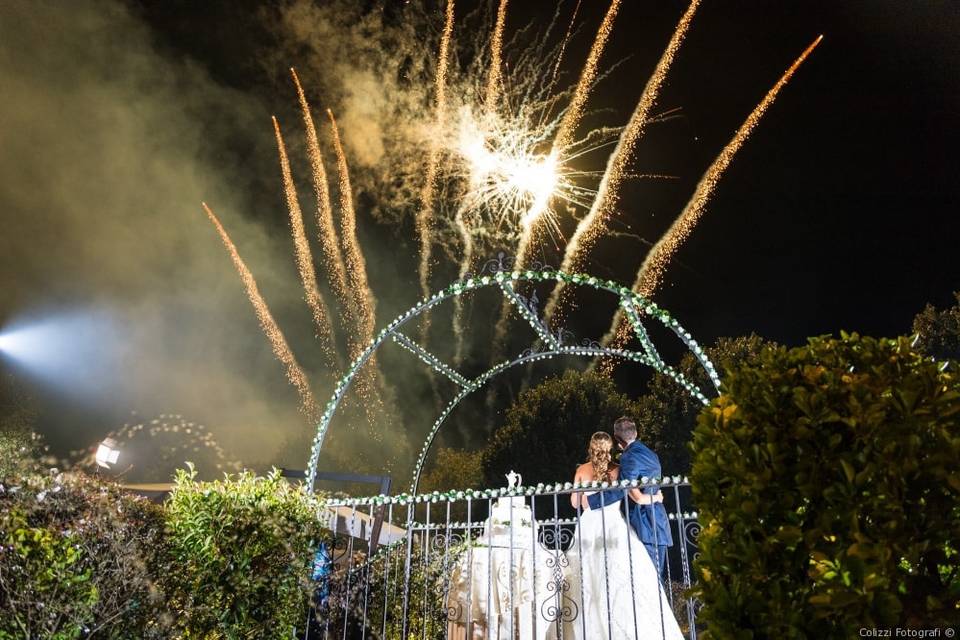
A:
(841, 212)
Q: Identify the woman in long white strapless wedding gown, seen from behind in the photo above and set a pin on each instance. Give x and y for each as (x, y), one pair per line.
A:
(610, 572)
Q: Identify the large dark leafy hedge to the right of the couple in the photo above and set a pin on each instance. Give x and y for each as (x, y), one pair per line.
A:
(827, 485)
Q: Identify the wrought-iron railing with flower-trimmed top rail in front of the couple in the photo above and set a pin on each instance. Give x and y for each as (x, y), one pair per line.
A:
(503, 563)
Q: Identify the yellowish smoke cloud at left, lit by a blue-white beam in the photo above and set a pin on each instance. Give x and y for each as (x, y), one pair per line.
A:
(108, 149)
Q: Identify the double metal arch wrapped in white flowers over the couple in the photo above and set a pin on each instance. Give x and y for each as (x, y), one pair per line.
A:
(500, 276)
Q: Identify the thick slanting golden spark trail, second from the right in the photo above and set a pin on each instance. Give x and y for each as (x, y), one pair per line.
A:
(592, 225)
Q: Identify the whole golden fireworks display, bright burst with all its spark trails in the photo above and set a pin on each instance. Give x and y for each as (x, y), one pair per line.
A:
(492, 155)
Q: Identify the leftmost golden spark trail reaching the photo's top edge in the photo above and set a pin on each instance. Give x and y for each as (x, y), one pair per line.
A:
(425, 214)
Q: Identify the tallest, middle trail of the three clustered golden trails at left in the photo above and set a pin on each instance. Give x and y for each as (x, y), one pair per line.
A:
(327, 235)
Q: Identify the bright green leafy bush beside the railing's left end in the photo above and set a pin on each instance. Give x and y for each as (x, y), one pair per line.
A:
(242, 547)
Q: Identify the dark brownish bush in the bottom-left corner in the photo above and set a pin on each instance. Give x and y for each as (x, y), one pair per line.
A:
(79, 559)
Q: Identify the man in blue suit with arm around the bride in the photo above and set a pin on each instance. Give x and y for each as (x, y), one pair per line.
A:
(648, 520)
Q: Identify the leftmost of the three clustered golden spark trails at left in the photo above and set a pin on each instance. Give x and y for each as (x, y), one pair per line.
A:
(321, 316)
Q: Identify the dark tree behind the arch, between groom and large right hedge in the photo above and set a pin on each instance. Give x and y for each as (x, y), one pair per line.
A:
(667, 413)
